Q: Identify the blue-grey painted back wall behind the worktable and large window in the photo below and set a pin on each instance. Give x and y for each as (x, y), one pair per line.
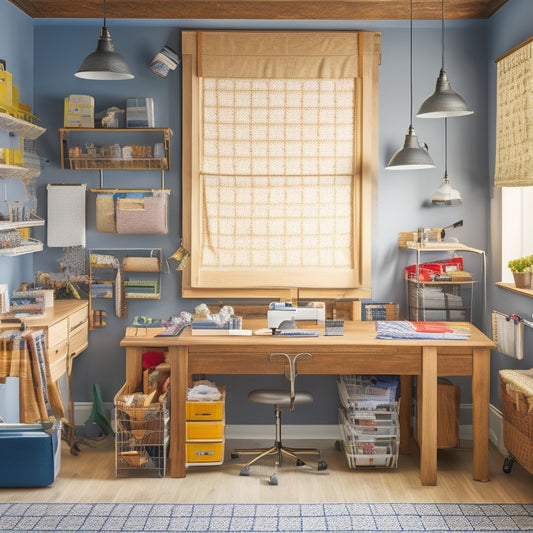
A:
(60, 46)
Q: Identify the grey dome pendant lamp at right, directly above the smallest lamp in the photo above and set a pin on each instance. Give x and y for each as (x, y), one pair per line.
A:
(444, 102)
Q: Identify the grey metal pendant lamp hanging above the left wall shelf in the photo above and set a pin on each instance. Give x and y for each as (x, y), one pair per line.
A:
(104, 63)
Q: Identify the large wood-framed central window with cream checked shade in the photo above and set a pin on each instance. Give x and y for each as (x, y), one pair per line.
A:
(277, 174)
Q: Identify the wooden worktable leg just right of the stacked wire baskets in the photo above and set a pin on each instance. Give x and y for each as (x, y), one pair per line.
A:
(427, 416)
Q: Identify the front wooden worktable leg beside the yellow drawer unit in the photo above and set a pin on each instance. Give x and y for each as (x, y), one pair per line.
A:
(178, 356)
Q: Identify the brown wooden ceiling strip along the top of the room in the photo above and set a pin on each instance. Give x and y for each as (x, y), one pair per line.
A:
(261, 9)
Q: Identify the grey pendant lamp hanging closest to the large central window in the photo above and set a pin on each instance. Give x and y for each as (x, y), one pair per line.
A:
(411, 156)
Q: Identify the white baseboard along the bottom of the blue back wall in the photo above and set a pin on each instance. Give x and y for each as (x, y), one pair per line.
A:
(82, 412)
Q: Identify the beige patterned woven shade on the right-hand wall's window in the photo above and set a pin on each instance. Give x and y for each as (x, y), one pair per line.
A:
(514, 118)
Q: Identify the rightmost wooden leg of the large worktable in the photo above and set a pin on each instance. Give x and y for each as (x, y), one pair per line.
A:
(480, 412)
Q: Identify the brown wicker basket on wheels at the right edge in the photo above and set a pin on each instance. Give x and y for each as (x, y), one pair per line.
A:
(517, 421)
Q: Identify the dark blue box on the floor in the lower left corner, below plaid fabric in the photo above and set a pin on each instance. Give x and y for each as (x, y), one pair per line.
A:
(29, 455)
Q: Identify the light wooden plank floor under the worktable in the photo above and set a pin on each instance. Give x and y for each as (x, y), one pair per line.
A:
(90, 477)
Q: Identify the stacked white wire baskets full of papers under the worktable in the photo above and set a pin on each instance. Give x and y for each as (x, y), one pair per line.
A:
(368, 420)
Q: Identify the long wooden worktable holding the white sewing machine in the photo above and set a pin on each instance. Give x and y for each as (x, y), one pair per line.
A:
(356, 352)
